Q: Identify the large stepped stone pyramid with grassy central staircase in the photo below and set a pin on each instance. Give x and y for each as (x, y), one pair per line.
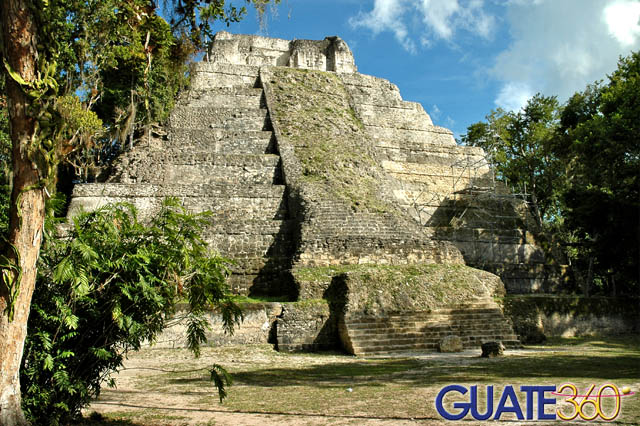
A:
(333, 194)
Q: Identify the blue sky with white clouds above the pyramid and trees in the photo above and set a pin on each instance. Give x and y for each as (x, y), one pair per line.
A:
(463, 58)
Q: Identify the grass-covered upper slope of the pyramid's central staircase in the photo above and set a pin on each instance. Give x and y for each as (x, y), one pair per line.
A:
(313, 112)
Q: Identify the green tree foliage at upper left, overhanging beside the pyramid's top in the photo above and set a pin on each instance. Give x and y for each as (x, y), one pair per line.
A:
(122, 60)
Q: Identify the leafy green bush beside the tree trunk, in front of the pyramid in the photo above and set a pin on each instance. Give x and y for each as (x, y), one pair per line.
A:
(105, 290)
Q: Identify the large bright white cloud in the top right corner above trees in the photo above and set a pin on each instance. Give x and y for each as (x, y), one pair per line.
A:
(558, 47)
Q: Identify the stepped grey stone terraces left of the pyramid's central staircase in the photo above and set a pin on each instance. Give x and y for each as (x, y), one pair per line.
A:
(219, 156)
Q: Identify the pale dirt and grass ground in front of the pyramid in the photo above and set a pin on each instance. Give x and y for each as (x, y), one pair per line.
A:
(170, 387)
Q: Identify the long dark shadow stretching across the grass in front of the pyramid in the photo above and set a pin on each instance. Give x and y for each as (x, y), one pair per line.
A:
(415, 372)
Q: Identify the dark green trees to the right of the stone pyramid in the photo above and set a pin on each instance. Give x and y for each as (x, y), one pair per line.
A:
(580, 164)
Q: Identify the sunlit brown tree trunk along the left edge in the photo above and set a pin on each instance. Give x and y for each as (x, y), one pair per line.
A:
(27, 209)
